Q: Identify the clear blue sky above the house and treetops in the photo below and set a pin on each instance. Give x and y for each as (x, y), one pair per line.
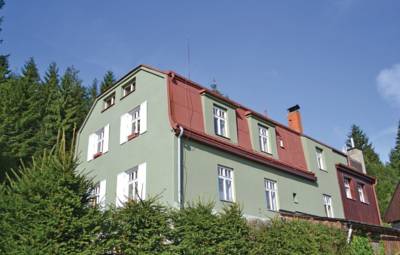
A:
(338, 59)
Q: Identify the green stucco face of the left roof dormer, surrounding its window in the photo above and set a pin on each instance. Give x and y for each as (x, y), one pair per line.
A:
(208, 104)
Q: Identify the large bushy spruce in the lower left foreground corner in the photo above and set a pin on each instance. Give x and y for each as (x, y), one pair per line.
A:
(45, 210)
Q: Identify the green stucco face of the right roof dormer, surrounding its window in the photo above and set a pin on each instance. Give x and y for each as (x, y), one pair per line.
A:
(255, 140)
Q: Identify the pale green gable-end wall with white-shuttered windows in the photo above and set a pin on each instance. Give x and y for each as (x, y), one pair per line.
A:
(155, 146)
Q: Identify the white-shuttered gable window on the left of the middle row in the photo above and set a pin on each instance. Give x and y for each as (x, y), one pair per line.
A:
(98, 142)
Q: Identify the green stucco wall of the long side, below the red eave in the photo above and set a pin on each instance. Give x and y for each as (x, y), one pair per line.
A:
(201, 177)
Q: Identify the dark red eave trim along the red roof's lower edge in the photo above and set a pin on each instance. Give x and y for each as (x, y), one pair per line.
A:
(223, 145)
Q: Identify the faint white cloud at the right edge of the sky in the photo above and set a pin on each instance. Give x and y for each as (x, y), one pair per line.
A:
(388, 83)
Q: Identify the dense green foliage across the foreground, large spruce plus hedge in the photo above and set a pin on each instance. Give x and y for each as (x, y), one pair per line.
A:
(46, 209)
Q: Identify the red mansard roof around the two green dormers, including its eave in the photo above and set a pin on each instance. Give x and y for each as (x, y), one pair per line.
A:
(186, 110)
